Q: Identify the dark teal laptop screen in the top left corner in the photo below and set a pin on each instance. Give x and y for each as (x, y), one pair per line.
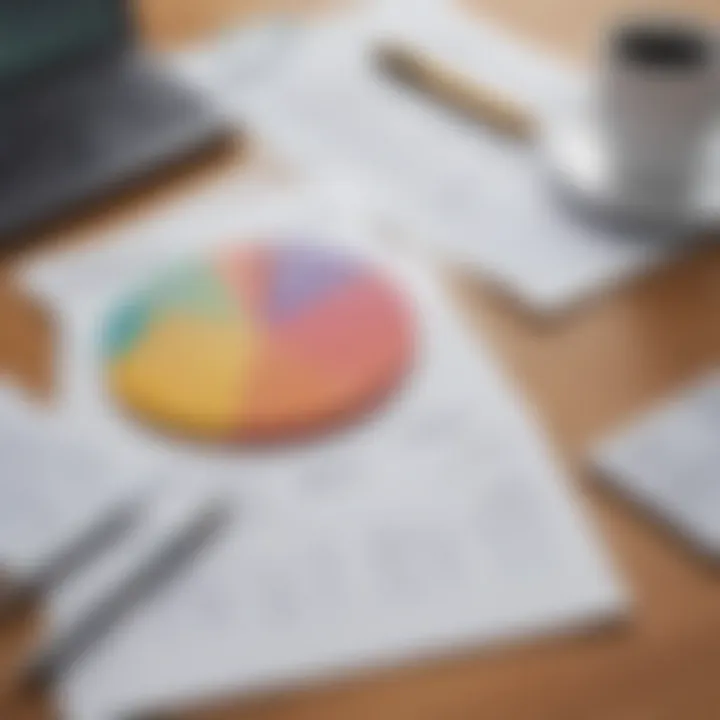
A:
(35, 35)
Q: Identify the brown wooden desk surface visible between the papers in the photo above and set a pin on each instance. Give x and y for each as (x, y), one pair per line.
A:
(585, 373)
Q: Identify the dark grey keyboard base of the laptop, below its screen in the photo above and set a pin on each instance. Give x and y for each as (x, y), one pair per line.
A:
(107, 123)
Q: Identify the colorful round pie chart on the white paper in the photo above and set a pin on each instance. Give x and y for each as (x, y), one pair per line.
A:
(262, 342)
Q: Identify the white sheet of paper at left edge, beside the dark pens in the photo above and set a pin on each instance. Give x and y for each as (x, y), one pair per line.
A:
(57, 487)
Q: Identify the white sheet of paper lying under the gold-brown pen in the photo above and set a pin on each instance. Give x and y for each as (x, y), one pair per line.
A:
(471, 197)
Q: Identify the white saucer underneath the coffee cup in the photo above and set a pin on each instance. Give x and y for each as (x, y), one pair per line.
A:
(579, 162)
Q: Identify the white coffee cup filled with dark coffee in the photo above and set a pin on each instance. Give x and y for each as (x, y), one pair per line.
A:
(659, 94)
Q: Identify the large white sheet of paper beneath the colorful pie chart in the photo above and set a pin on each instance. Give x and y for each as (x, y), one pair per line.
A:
(441, 522)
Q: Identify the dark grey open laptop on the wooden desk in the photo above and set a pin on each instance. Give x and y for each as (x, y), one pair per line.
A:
(83, 108)
